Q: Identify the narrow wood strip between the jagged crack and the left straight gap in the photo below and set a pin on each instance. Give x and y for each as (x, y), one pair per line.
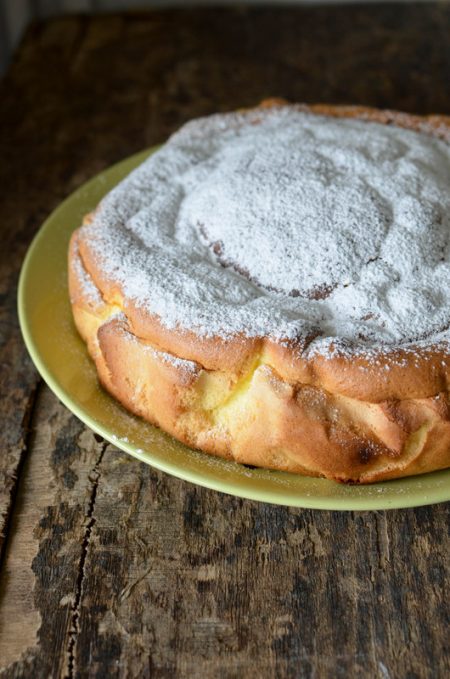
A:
(51, 524)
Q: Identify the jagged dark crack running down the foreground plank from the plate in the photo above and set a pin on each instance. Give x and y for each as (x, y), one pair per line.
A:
(94, 477)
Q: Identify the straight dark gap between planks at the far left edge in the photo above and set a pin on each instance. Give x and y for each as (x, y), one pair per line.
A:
(27, 428)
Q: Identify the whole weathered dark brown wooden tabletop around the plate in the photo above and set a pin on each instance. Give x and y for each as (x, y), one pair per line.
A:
(109, 568)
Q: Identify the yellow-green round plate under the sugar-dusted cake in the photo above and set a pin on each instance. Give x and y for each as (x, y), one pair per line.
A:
(61, 358)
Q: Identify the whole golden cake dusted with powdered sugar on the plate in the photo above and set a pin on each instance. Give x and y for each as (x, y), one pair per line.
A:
(272, 286)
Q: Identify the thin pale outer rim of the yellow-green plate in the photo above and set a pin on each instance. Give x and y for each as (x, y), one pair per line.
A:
(441, 493)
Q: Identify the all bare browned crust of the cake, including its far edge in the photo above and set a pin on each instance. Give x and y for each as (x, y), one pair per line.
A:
(349, 418)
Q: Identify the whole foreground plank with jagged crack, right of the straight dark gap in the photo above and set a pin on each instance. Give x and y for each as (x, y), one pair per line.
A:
(137, 574)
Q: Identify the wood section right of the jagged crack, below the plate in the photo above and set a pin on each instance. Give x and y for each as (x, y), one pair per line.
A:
(203, 584)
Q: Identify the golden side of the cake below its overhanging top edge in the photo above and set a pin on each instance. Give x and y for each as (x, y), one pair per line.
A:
(254, 416)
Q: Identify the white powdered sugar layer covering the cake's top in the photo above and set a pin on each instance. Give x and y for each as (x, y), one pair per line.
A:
(284, 223)
